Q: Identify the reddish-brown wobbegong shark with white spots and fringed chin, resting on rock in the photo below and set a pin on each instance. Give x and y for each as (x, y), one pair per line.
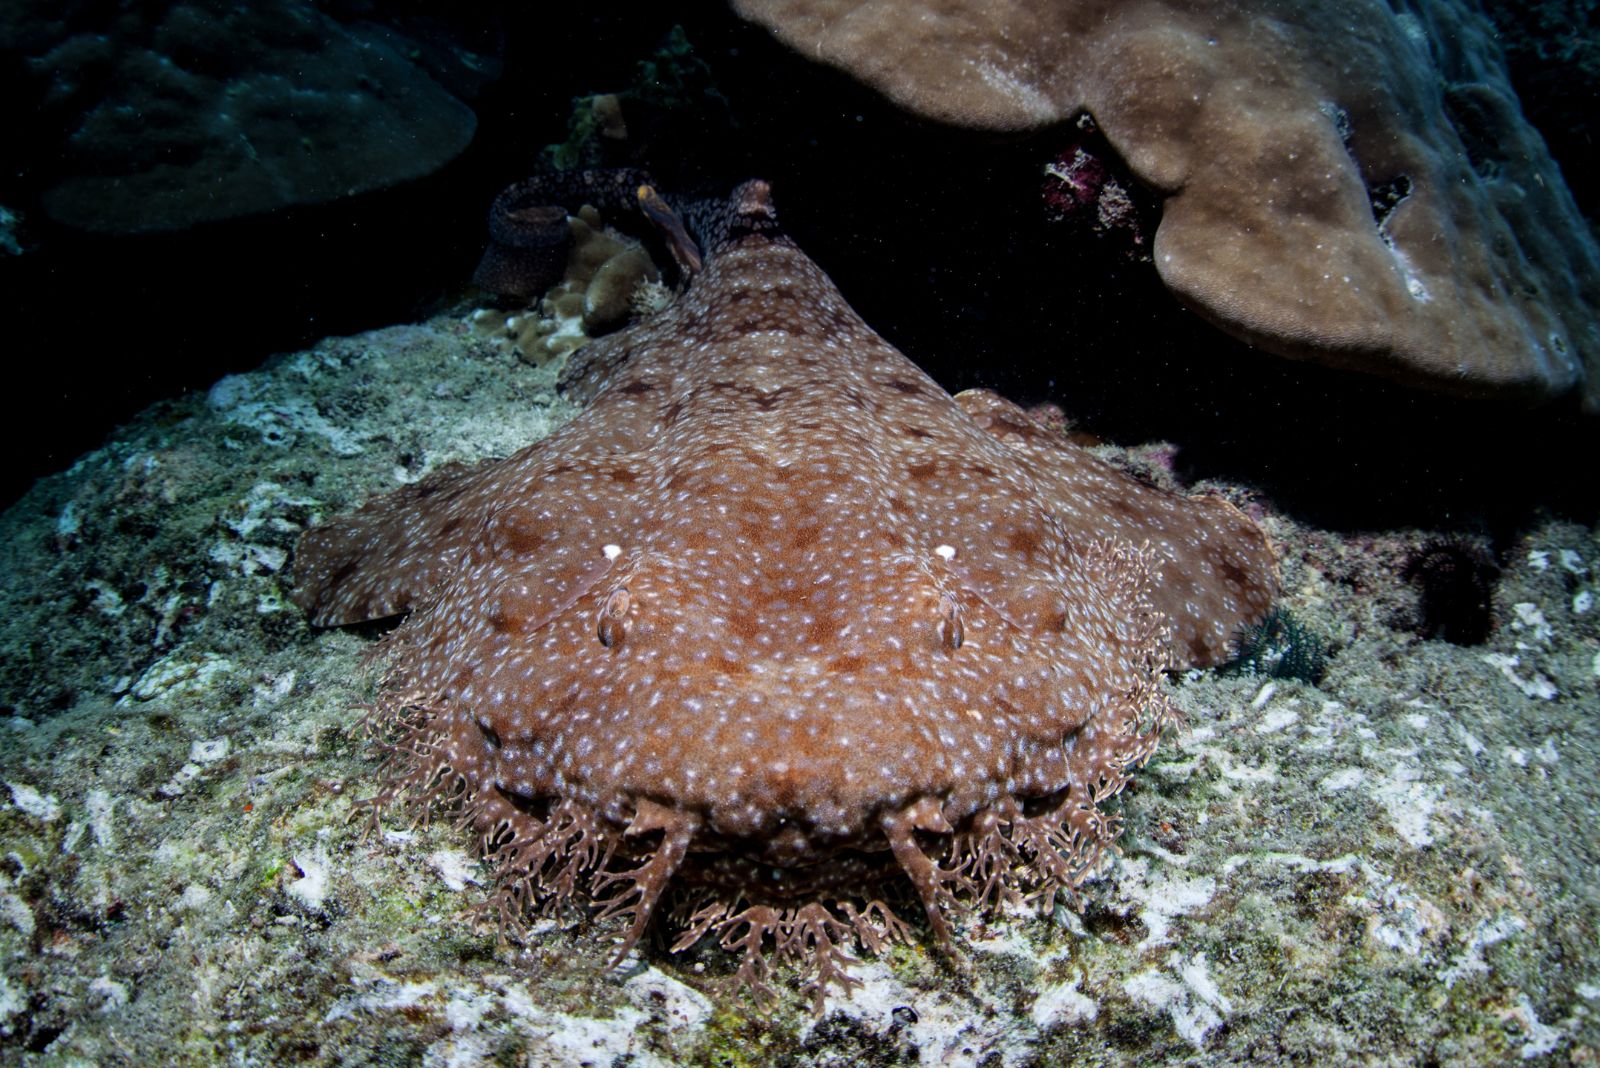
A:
(777, 620)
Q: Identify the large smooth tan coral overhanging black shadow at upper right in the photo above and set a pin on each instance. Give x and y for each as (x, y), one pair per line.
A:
(1343, 181)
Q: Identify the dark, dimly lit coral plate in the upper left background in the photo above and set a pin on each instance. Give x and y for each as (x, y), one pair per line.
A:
(185, 111)
